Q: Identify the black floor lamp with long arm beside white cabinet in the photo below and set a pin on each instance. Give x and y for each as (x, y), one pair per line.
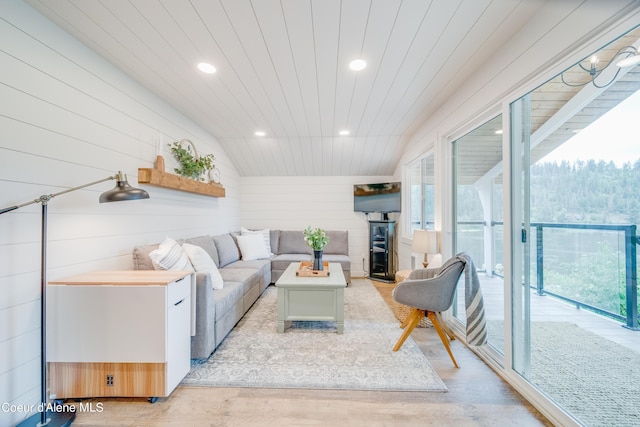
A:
(122, 192)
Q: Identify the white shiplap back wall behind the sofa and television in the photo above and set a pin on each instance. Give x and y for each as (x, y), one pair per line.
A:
(287, 203)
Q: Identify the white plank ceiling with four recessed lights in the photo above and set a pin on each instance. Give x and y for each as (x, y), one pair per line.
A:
(282, 67)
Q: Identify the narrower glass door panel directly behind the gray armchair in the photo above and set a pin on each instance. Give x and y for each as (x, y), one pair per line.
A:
(478, 226)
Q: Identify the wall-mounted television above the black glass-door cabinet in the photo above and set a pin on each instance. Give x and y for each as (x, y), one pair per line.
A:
(384, 197)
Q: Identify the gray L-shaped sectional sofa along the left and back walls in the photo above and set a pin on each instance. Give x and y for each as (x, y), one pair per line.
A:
(218, 310)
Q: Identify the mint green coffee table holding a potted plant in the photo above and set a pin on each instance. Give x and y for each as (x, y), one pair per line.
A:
(311, 298)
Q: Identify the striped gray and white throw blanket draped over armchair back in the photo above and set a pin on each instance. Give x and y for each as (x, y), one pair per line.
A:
(476, 323)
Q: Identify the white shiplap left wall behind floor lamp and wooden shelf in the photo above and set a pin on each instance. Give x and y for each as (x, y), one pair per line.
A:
(68, 117)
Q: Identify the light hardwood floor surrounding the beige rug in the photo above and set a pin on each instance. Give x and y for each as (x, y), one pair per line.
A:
(476, 397)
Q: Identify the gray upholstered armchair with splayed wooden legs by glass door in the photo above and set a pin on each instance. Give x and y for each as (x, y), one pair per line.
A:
(429, 292)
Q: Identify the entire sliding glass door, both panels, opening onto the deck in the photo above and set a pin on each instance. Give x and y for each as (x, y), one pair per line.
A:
(561, 300)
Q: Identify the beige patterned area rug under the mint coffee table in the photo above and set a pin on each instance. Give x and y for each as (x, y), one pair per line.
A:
(312, 355)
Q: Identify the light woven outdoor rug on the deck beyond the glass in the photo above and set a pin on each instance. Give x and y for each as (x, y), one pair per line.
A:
(595, 379)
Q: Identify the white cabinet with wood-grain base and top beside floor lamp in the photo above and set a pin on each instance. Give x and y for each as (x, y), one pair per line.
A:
(119, 333)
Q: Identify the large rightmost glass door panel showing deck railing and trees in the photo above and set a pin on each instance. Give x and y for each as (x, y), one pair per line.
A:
(573, 258)
